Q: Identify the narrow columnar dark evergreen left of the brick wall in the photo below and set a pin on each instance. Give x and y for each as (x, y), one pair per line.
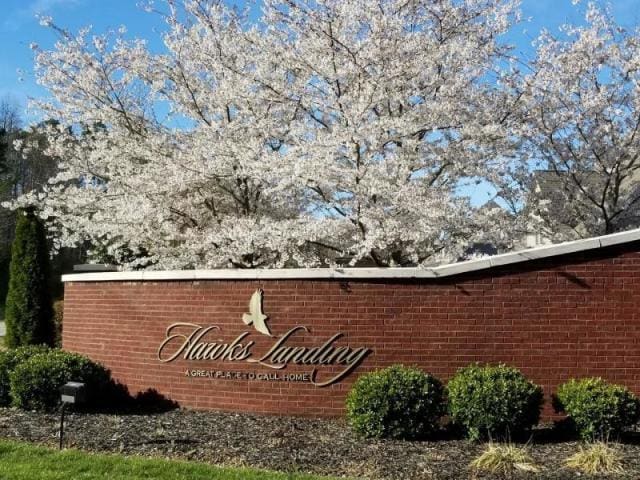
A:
(28, 311)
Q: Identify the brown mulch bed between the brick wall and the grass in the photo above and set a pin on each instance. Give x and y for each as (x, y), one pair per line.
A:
(282, 443)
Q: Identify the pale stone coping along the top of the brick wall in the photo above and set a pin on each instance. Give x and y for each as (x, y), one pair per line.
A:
(364, 273)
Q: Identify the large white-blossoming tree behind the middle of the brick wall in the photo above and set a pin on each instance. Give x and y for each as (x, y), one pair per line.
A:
(330, 129)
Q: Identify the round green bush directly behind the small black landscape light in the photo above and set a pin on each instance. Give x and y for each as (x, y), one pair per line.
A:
(35, 383)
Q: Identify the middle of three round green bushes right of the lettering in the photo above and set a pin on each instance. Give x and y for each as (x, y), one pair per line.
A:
(495, 402)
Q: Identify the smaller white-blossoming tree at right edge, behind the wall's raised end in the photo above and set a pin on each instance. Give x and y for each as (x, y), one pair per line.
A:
(580, 116)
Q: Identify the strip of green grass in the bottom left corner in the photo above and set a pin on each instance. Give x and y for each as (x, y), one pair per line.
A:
(21, 461)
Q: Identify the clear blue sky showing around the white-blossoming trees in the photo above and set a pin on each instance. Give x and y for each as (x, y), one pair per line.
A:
(19, 27)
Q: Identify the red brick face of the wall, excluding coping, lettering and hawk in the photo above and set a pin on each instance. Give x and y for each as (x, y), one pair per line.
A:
(568, 316)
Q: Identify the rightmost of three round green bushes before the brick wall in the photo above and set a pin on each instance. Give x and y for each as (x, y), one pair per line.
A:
(597, 410)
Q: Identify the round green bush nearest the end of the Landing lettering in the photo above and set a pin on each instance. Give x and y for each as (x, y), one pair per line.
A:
(396, 402)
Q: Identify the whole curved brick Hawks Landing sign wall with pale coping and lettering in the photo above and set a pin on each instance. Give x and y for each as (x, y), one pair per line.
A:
(293, 341)
